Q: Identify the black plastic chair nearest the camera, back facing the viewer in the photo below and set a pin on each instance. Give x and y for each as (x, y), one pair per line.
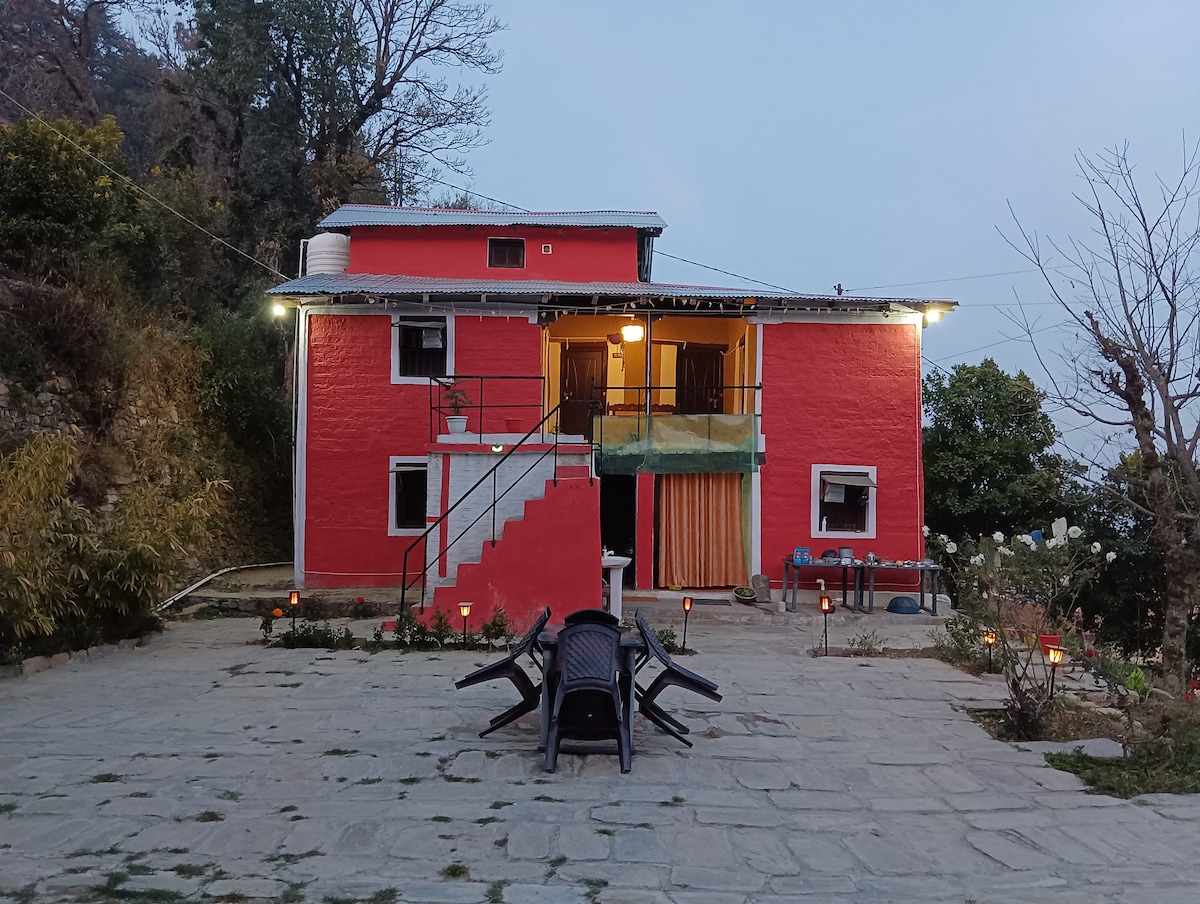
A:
(591, 686)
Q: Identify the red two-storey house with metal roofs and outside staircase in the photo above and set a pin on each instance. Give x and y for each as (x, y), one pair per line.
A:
(703, 433)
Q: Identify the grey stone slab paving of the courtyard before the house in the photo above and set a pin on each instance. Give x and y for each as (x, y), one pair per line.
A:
(207, 768)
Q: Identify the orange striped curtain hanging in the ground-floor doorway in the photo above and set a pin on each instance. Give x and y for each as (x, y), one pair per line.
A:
(700, 531)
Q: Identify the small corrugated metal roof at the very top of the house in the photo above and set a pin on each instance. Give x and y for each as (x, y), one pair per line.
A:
(380, 215)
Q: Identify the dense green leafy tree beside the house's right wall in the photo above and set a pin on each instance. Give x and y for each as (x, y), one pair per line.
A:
(988, 456)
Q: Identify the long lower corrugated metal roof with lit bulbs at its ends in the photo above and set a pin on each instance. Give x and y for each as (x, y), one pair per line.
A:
(364, 284)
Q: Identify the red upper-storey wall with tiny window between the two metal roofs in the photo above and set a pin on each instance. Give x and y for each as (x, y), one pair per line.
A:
(579, 255)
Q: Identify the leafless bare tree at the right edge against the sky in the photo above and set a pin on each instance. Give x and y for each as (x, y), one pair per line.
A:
(1132, 296)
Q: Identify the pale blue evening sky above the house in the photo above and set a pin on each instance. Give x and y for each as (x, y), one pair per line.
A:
(875, 145)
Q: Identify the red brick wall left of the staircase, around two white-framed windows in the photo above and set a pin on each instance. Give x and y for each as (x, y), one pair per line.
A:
(357, 420)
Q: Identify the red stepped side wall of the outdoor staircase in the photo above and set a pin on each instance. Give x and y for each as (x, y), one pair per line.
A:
(551, 558)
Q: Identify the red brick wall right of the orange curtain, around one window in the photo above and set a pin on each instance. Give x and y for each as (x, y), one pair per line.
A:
(845, 394)
